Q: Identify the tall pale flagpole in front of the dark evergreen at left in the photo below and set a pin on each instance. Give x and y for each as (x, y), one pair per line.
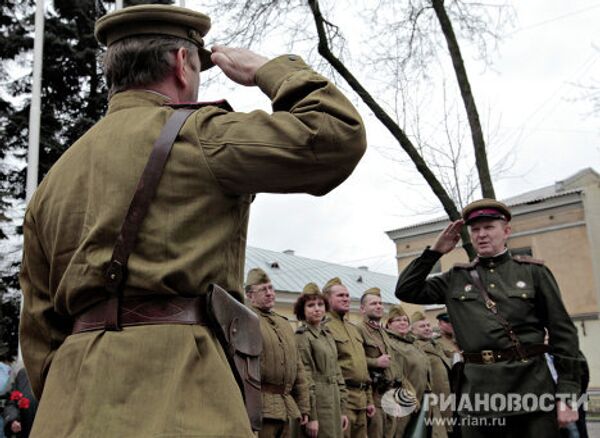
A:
(33, 152)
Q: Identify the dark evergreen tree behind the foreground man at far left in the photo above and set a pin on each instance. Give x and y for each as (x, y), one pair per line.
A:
(74, 96)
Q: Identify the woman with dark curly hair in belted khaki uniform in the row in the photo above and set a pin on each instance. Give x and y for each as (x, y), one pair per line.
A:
(317, 349)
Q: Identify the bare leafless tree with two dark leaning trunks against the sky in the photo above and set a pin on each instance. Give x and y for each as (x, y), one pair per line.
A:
(395, 53)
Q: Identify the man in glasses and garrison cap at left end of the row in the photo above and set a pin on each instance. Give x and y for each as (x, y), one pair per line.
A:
(284, 387)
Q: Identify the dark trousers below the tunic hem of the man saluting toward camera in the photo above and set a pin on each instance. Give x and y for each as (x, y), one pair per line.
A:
(531, 425)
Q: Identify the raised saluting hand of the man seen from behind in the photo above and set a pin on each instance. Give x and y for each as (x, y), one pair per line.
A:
(240, 65)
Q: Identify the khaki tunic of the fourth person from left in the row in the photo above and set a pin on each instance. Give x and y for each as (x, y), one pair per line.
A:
(376, 342)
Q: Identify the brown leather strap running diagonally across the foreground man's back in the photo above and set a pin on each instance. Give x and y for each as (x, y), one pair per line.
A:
(116, 273)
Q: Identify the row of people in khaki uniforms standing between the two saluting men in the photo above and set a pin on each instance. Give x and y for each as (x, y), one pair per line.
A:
(339, 378)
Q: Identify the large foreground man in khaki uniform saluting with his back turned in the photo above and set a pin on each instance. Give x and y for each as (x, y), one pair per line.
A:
(193, 234)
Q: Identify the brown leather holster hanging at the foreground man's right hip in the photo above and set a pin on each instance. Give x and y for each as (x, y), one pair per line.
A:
(238, 330)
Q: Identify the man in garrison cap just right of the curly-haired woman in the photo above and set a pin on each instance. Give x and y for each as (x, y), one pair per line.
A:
(351, 359)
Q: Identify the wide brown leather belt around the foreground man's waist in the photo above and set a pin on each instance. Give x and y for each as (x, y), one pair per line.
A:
(145, 310)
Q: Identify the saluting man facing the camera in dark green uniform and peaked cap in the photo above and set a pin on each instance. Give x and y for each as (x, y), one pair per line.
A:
(500, 307)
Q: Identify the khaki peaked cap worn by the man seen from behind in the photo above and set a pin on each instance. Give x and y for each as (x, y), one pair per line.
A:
(156, 20)
